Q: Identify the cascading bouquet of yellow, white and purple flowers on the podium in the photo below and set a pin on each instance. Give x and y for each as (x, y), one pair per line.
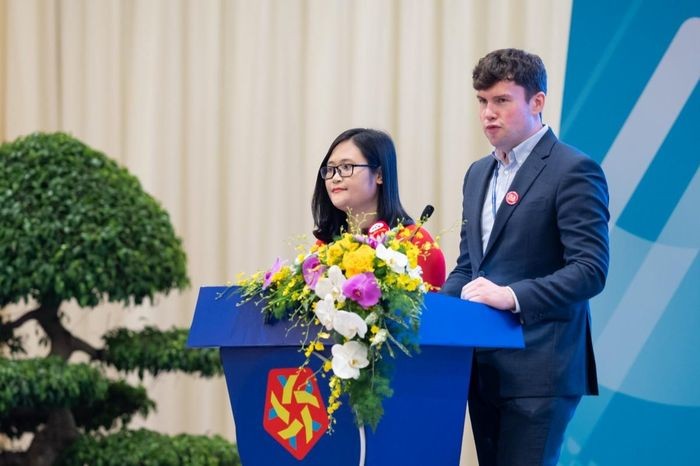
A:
(360, 294)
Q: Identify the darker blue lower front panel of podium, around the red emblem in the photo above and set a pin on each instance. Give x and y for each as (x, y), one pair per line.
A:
(422, 423)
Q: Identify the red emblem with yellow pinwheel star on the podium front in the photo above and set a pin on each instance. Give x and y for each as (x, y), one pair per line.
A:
(295, 415)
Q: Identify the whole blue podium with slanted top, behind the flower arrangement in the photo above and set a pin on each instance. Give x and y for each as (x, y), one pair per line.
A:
(424, 419)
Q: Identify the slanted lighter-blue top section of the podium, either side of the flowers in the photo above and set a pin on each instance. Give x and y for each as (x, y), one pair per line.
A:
(446, 321)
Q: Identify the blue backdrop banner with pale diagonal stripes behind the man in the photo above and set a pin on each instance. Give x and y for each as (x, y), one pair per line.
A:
(632, 102)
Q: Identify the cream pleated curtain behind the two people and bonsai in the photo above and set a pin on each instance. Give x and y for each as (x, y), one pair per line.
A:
(224, 109)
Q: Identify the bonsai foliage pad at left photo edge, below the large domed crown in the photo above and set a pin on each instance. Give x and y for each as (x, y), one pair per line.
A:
(34, 386)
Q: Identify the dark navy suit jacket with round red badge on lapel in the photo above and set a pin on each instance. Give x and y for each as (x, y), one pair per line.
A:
(551, 248)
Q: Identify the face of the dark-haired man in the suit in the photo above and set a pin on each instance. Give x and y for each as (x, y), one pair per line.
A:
(506, 116)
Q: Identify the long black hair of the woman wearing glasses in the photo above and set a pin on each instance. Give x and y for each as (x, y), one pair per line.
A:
(378, 148)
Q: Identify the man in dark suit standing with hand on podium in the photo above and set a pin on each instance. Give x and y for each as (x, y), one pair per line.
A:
(534, 242)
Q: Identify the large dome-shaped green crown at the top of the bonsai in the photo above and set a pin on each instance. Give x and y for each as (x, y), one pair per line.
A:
(76, 225)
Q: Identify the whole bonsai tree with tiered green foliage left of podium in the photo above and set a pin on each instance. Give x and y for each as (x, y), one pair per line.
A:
(76, 226)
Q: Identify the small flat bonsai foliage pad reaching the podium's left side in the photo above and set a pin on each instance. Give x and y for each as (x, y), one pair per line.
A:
(156, 351)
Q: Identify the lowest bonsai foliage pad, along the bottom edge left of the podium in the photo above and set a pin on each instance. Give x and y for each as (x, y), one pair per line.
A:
(146, 448)
